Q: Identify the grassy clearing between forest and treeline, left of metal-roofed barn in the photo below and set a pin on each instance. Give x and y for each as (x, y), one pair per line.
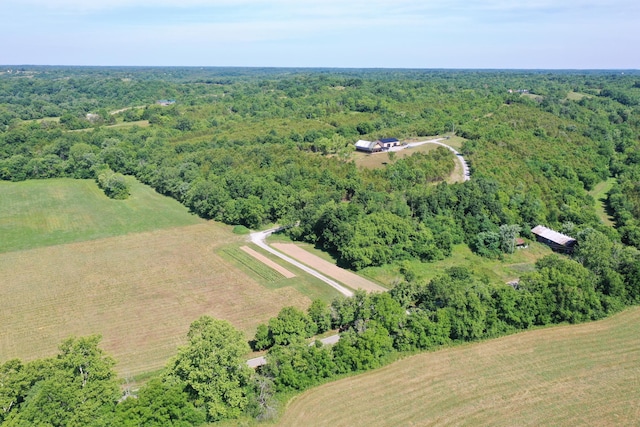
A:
(510, 268)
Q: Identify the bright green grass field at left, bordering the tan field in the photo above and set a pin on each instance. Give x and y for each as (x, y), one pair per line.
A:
(54, 211)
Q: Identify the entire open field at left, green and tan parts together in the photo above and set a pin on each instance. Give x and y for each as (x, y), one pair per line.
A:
(136, 271)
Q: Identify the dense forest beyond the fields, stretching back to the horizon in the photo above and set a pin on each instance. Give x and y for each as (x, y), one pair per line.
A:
(267, 146)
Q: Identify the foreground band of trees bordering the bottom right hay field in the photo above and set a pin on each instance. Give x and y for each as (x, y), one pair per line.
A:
(208, 380)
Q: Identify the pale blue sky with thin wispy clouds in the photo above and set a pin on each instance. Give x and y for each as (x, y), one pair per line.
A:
(516, 34)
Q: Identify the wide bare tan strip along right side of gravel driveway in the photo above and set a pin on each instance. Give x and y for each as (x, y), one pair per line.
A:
(325, 267)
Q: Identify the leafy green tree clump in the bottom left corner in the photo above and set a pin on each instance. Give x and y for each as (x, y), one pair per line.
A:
(77, 388)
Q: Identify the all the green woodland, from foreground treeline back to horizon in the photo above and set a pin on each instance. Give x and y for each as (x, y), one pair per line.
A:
(261, 146)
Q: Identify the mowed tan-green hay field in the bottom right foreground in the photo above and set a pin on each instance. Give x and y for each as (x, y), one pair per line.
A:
(586, 374)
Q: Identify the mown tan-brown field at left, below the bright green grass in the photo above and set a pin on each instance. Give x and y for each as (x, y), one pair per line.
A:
(139, 291)
